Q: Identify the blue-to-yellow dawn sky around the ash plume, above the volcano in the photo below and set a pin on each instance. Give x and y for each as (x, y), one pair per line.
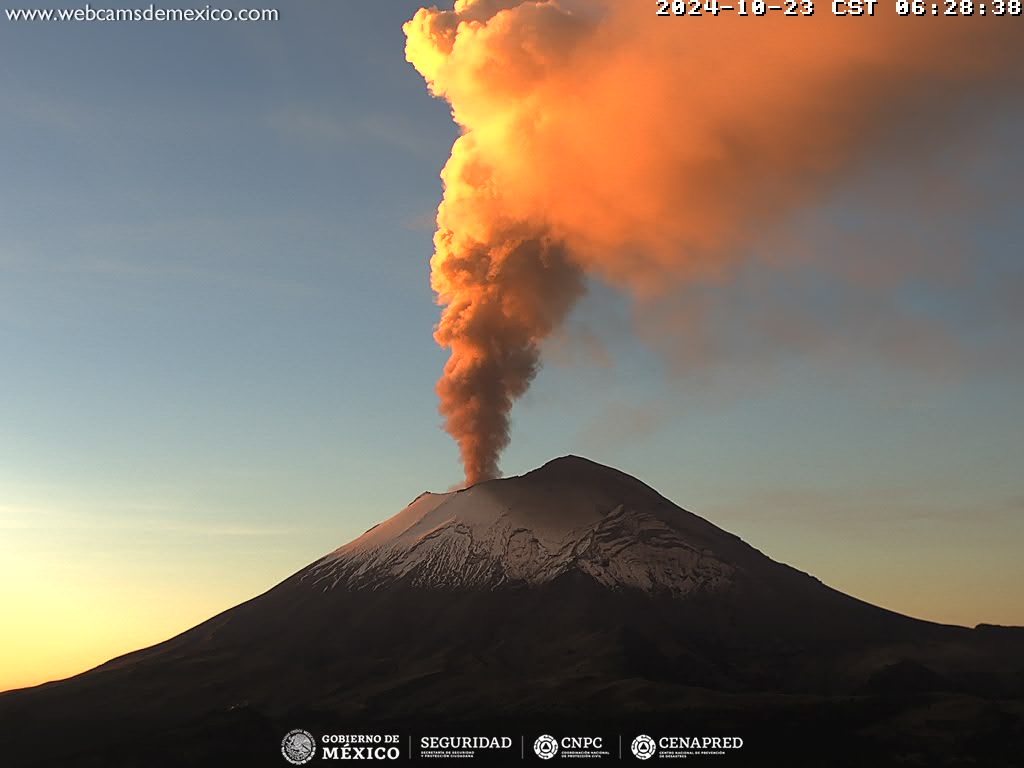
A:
(217, 319)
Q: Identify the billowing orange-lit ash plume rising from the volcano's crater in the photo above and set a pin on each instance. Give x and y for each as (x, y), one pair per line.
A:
(599, 139)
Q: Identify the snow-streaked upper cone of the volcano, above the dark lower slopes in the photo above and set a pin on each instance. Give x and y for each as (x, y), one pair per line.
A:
(570, 515)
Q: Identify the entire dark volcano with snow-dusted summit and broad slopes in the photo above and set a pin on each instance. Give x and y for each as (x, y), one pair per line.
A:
(574, 594)
